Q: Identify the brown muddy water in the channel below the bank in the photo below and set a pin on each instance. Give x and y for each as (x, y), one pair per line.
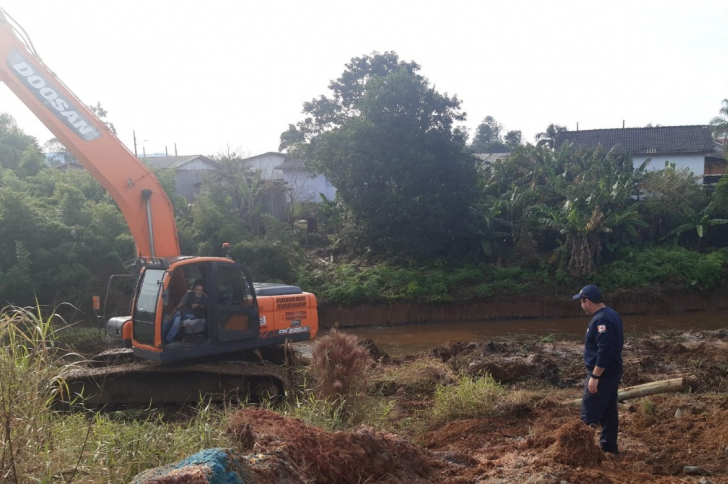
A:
(413, 338)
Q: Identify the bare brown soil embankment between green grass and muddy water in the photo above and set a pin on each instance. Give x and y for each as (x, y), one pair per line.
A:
(643, 302)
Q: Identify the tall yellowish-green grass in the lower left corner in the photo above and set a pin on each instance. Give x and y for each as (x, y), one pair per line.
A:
(39, 444)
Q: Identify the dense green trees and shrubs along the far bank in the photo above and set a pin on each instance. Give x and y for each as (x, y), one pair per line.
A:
(417, 215)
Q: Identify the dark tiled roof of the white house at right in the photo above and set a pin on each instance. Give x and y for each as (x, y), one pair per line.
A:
(642, 141)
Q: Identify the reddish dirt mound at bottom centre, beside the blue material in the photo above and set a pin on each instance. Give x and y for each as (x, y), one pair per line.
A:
(363, 455)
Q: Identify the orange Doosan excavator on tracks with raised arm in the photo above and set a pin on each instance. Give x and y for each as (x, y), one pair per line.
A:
(239, 315)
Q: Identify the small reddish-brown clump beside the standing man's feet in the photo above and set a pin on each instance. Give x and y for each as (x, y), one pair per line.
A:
(575, 445)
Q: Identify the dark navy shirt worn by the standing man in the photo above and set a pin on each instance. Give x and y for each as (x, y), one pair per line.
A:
(604, 342)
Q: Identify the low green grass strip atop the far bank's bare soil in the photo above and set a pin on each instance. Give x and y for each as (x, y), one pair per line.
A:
(671, 268)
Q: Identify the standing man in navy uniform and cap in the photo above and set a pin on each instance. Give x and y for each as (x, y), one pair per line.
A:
(603, 361)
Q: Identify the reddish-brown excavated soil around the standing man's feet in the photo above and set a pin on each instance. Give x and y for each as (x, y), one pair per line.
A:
(664, 438)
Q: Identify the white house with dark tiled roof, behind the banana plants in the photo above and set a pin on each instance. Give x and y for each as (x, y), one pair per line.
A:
(689, 147)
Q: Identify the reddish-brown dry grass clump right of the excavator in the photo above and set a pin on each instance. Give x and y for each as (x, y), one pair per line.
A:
(338, 366)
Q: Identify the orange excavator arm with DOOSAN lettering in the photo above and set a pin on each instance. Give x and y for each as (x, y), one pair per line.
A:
(137, 192)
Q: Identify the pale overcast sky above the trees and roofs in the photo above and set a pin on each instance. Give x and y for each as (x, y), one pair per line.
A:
(217, 74)
